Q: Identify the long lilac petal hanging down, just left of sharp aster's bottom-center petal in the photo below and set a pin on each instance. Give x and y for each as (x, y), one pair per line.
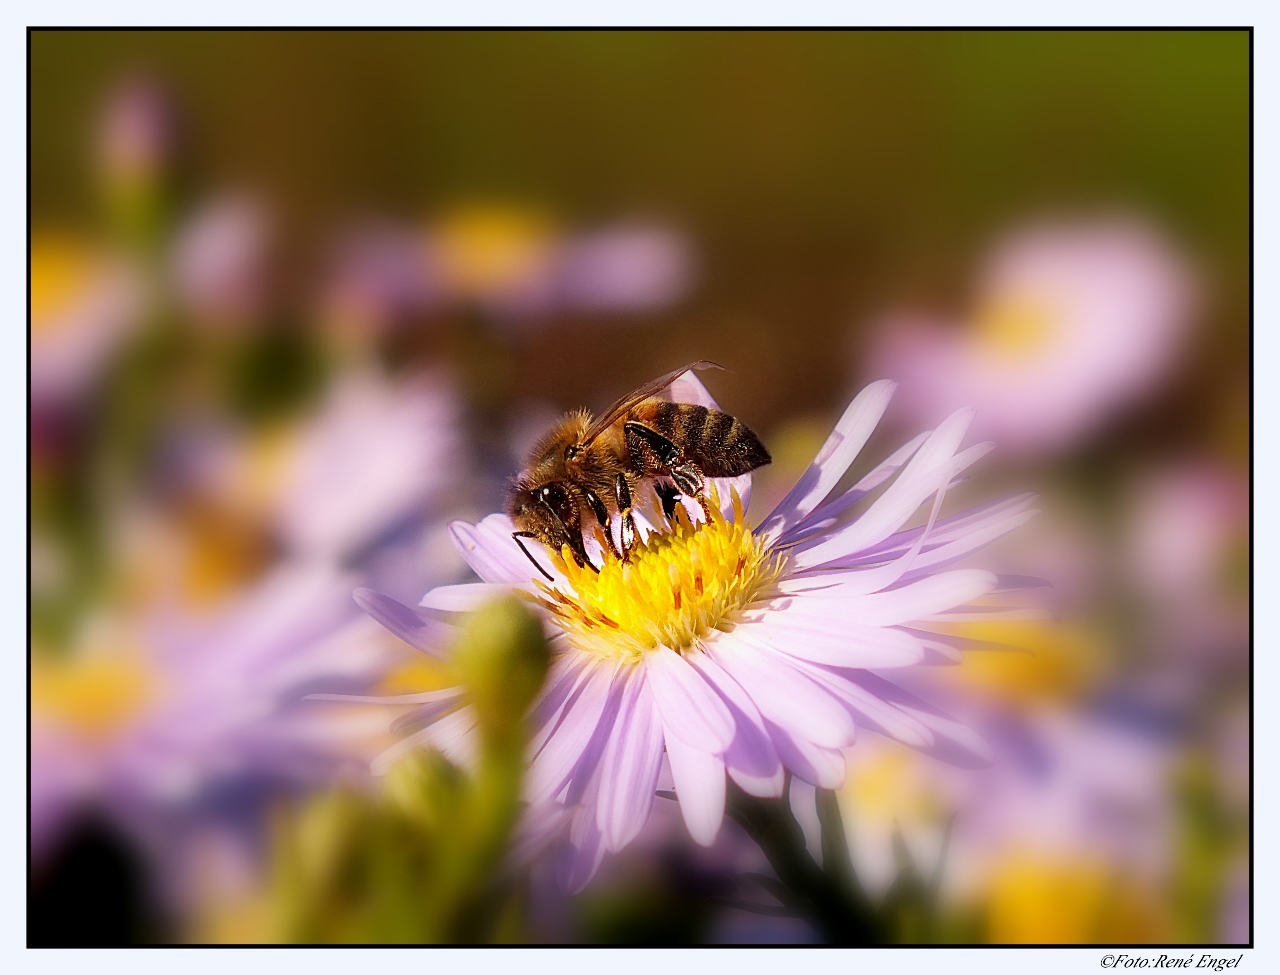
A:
(629, 772)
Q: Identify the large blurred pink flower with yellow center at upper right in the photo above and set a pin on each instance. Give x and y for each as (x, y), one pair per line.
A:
(1072, 323)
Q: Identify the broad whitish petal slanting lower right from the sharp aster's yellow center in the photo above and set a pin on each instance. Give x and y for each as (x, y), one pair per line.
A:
(781, 693)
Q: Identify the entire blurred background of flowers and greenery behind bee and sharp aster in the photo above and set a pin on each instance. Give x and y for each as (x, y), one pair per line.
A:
(299, 300)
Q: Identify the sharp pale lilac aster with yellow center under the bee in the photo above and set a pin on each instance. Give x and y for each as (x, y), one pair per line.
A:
(730, 649)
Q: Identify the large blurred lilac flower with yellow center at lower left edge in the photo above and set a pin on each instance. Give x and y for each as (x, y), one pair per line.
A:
(159, 707)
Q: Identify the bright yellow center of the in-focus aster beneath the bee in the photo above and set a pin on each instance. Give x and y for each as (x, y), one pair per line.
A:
(678, 588)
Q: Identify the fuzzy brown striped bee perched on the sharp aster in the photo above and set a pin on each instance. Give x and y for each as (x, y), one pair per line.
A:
(589, 469)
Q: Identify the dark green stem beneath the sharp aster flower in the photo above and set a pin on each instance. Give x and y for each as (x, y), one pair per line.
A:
(830, 895)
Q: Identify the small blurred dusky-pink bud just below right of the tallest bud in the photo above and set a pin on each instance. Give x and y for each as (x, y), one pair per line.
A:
(220, 262)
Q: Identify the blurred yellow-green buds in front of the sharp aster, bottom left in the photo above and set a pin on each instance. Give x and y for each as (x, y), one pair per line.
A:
(423, 863)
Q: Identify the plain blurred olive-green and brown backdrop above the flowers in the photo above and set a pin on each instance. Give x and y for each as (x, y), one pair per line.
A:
(824, 175)
